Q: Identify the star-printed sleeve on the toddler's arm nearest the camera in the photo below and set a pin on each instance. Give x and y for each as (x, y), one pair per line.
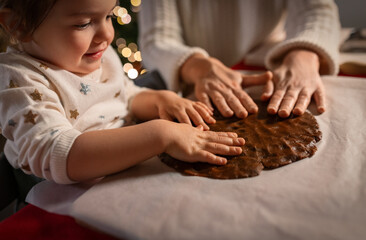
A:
(34, 122)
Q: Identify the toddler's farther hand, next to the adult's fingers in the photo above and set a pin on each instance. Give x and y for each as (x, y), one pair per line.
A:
(171, 106)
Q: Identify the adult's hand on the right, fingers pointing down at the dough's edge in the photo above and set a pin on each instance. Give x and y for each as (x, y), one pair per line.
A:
(295, 81)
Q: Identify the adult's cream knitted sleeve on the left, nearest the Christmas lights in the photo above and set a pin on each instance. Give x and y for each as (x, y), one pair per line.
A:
(161, 41)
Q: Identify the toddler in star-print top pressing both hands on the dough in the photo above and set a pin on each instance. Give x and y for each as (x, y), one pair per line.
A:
(64, 98)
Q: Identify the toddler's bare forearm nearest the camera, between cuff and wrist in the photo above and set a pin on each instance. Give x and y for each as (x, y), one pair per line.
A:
(99, 153)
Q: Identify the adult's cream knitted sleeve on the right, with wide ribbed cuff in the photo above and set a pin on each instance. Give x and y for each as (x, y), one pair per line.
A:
(312, 25)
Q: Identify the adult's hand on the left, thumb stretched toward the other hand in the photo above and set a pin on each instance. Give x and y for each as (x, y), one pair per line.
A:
(223, 86)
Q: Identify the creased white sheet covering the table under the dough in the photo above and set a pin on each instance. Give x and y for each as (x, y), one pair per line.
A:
(323, 197)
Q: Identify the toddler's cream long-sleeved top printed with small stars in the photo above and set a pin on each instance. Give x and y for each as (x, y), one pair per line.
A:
(43, 109)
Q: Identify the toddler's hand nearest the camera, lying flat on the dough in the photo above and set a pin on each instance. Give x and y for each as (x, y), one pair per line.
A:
(195, 145)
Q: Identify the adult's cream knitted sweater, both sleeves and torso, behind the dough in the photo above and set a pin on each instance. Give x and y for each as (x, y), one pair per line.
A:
(172, 30)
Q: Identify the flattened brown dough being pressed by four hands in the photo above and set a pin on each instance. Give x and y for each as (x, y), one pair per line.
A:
(270, 142)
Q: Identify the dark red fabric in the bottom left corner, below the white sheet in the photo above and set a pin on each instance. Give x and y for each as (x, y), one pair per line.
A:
(34, 223)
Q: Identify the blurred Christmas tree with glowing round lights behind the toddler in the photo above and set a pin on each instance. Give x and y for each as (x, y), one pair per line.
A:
(126, 35)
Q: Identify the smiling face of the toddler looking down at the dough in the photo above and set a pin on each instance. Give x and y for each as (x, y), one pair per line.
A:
(74, 35)
